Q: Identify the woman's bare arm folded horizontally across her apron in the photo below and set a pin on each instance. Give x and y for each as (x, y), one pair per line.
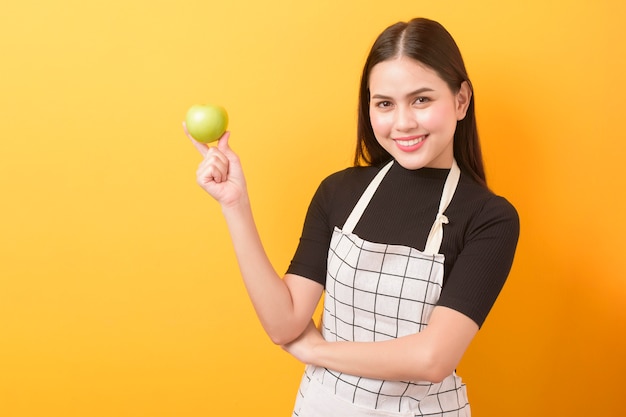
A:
(430, 355)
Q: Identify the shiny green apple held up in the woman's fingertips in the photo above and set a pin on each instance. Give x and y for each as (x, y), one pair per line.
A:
(206, 122)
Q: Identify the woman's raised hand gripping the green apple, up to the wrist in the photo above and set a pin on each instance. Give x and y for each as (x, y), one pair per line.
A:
(220, 173)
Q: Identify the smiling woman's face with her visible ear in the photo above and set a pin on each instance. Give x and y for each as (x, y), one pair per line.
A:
(414, 113)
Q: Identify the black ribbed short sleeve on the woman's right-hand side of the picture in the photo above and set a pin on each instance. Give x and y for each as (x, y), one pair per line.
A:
(483, 265)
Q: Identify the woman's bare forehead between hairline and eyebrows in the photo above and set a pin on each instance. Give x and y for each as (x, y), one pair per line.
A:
(404, 72)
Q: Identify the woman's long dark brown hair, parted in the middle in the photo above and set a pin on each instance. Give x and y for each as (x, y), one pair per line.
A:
(429, 43)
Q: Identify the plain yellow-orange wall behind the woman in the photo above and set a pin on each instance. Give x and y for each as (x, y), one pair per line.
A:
(119, 292)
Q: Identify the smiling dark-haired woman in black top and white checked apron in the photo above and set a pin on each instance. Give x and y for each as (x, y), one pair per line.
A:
(409, 246)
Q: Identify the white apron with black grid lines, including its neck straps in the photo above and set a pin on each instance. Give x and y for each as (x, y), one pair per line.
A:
(376, 292)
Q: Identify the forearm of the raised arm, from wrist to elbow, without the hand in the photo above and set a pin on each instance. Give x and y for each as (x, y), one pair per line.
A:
(268, 292)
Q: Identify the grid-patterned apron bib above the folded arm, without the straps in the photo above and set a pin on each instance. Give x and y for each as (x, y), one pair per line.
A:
(377, 292)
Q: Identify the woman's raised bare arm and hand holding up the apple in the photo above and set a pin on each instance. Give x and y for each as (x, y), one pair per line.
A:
(284, 306)
